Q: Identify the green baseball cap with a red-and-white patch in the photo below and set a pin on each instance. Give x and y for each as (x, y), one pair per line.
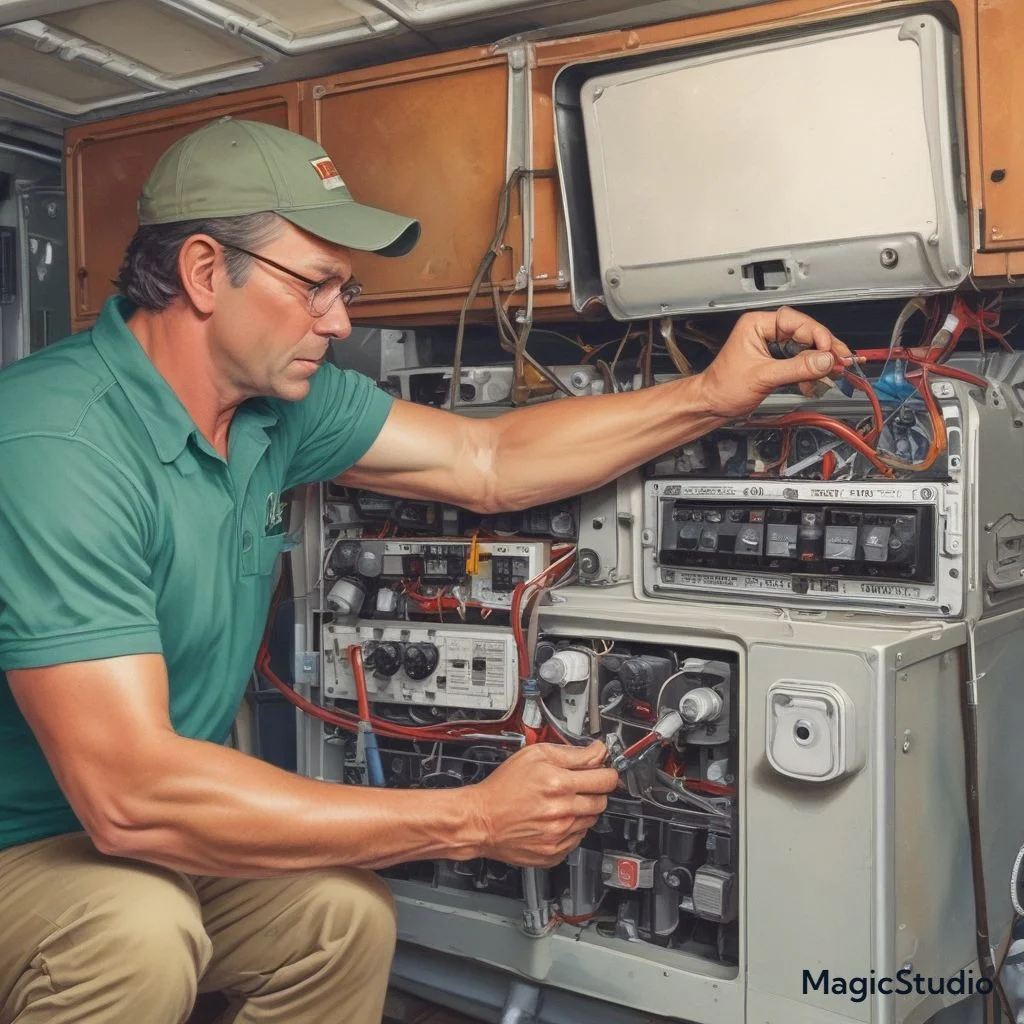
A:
(231, 168)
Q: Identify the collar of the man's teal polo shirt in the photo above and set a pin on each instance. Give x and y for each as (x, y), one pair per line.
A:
(165, 419)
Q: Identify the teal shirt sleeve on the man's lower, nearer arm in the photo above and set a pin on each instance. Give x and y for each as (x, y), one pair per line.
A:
(75, 583)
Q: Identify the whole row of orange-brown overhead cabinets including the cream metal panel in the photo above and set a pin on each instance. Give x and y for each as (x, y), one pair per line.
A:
(798, 174)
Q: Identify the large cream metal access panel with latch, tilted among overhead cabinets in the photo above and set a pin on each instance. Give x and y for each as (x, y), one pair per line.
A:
(817, 166)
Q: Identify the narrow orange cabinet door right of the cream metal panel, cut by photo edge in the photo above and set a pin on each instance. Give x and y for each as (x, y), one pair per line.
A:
(1001, 29)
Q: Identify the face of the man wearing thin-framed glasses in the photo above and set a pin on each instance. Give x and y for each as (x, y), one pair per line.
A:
(267, 338)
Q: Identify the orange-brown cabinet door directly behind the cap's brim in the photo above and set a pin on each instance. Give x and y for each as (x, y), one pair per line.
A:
(426, 139)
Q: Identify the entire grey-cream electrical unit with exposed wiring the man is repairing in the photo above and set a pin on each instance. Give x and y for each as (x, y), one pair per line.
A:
(761, 625)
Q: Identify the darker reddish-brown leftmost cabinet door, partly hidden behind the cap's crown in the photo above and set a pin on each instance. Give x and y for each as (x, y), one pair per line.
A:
(107, 164)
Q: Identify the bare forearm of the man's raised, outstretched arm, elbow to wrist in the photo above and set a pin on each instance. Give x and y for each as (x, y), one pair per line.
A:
(567, 448)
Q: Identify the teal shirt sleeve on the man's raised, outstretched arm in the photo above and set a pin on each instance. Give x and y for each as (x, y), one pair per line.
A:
(336, 424)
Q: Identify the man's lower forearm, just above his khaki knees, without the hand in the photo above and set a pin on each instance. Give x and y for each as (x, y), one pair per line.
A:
(206, 809)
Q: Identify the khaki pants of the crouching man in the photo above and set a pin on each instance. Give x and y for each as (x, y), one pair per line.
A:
(97, 940)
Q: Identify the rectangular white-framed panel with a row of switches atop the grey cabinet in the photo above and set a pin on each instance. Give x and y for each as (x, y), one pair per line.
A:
(870, 545)
